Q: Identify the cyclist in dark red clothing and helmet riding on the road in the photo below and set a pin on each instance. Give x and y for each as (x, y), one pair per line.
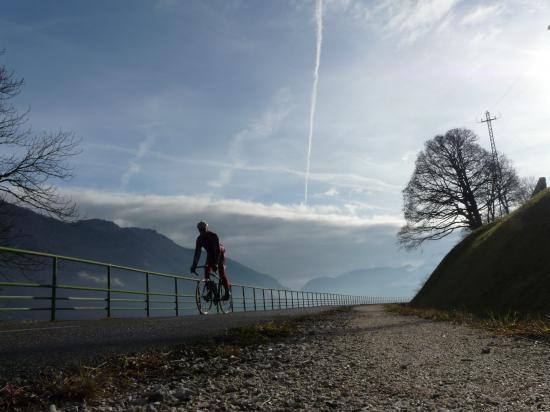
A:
(215, 255)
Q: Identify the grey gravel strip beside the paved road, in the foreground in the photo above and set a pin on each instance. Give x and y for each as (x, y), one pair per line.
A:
(366, 359)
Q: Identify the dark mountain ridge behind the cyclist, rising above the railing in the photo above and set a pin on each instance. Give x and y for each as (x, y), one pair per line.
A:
(104, 241)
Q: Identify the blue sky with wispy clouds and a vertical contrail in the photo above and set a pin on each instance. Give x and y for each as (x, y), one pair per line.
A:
(191, 110)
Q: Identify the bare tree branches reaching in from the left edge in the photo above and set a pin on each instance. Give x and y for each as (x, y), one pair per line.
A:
(29, 161)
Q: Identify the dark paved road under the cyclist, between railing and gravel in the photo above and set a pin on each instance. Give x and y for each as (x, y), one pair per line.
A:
(25, 346)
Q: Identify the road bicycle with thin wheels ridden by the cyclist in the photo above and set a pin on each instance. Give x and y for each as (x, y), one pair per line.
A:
(210, 292)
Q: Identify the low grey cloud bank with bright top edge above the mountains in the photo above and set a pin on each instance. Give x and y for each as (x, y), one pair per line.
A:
(290, 242)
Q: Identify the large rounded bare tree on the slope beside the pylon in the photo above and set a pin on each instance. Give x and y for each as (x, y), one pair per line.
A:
(451, 188)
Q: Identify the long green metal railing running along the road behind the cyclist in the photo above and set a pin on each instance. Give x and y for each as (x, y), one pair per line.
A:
(248, 298)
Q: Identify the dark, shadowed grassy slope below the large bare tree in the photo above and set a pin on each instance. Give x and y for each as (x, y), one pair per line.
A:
(502, 267)
